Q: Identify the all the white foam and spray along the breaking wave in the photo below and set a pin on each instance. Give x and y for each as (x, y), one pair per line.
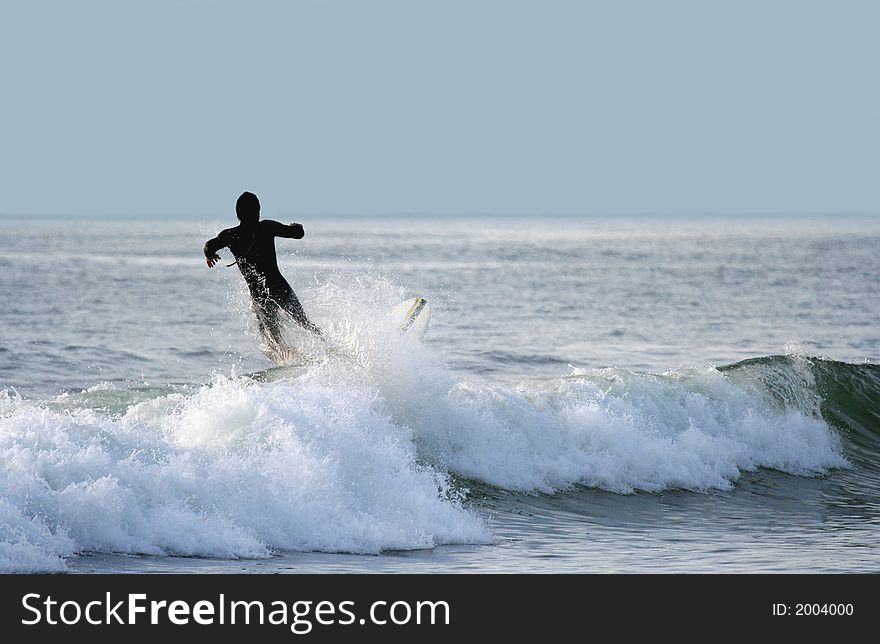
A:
(353, 452)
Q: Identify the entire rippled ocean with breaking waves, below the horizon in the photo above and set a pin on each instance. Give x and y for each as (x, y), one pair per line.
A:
(594, 394)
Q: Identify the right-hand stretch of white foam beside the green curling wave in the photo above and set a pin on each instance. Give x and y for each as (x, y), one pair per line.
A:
(624, 432)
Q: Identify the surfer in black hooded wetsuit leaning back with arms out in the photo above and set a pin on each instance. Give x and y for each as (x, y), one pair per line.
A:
(252, 243)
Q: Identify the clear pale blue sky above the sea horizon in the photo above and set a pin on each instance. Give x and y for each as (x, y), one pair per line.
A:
(452, 106)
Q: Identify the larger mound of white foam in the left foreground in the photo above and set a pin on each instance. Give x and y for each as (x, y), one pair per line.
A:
(239, 469)
